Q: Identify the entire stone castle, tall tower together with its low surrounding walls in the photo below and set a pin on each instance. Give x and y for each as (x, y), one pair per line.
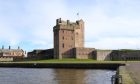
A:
(69, 43)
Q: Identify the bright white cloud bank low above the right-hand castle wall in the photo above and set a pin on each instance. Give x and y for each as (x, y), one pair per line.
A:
(115, 43)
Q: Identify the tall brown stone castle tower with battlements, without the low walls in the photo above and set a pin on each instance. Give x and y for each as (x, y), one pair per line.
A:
(67, 35)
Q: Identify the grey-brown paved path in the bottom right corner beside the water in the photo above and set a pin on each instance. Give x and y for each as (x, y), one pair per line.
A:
(134, 71)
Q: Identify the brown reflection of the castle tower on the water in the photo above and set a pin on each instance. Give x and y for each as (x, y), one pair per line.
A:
(70, 76)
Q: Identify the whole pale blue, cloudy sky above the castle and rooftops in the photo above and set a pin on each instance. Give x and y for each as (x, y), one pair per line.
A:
(109, 24)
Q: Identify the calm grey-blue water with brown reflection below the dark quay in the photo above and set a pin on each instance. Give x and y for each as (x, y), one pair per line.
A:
(54, 76)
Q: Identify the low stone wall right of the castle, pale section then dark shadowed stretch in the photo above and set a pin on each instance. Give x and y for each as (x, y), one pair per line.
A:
(117, 55)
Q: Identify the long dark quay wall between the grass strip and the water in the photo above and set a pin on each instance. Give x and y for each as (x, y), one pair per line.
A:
(112, 66)
